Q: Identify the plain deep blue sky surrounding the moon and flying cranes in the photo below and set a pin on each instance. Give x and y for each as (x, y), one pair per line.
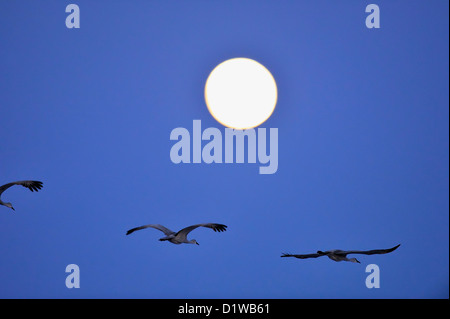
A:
(362, 116)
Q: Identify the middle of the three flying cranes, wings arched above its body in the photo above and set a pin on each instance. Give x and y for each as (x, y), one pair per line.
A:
(180, 237)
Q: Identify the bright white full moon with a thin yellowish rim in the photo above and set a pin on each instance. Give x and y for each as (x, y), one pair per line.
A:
(241, 93)
